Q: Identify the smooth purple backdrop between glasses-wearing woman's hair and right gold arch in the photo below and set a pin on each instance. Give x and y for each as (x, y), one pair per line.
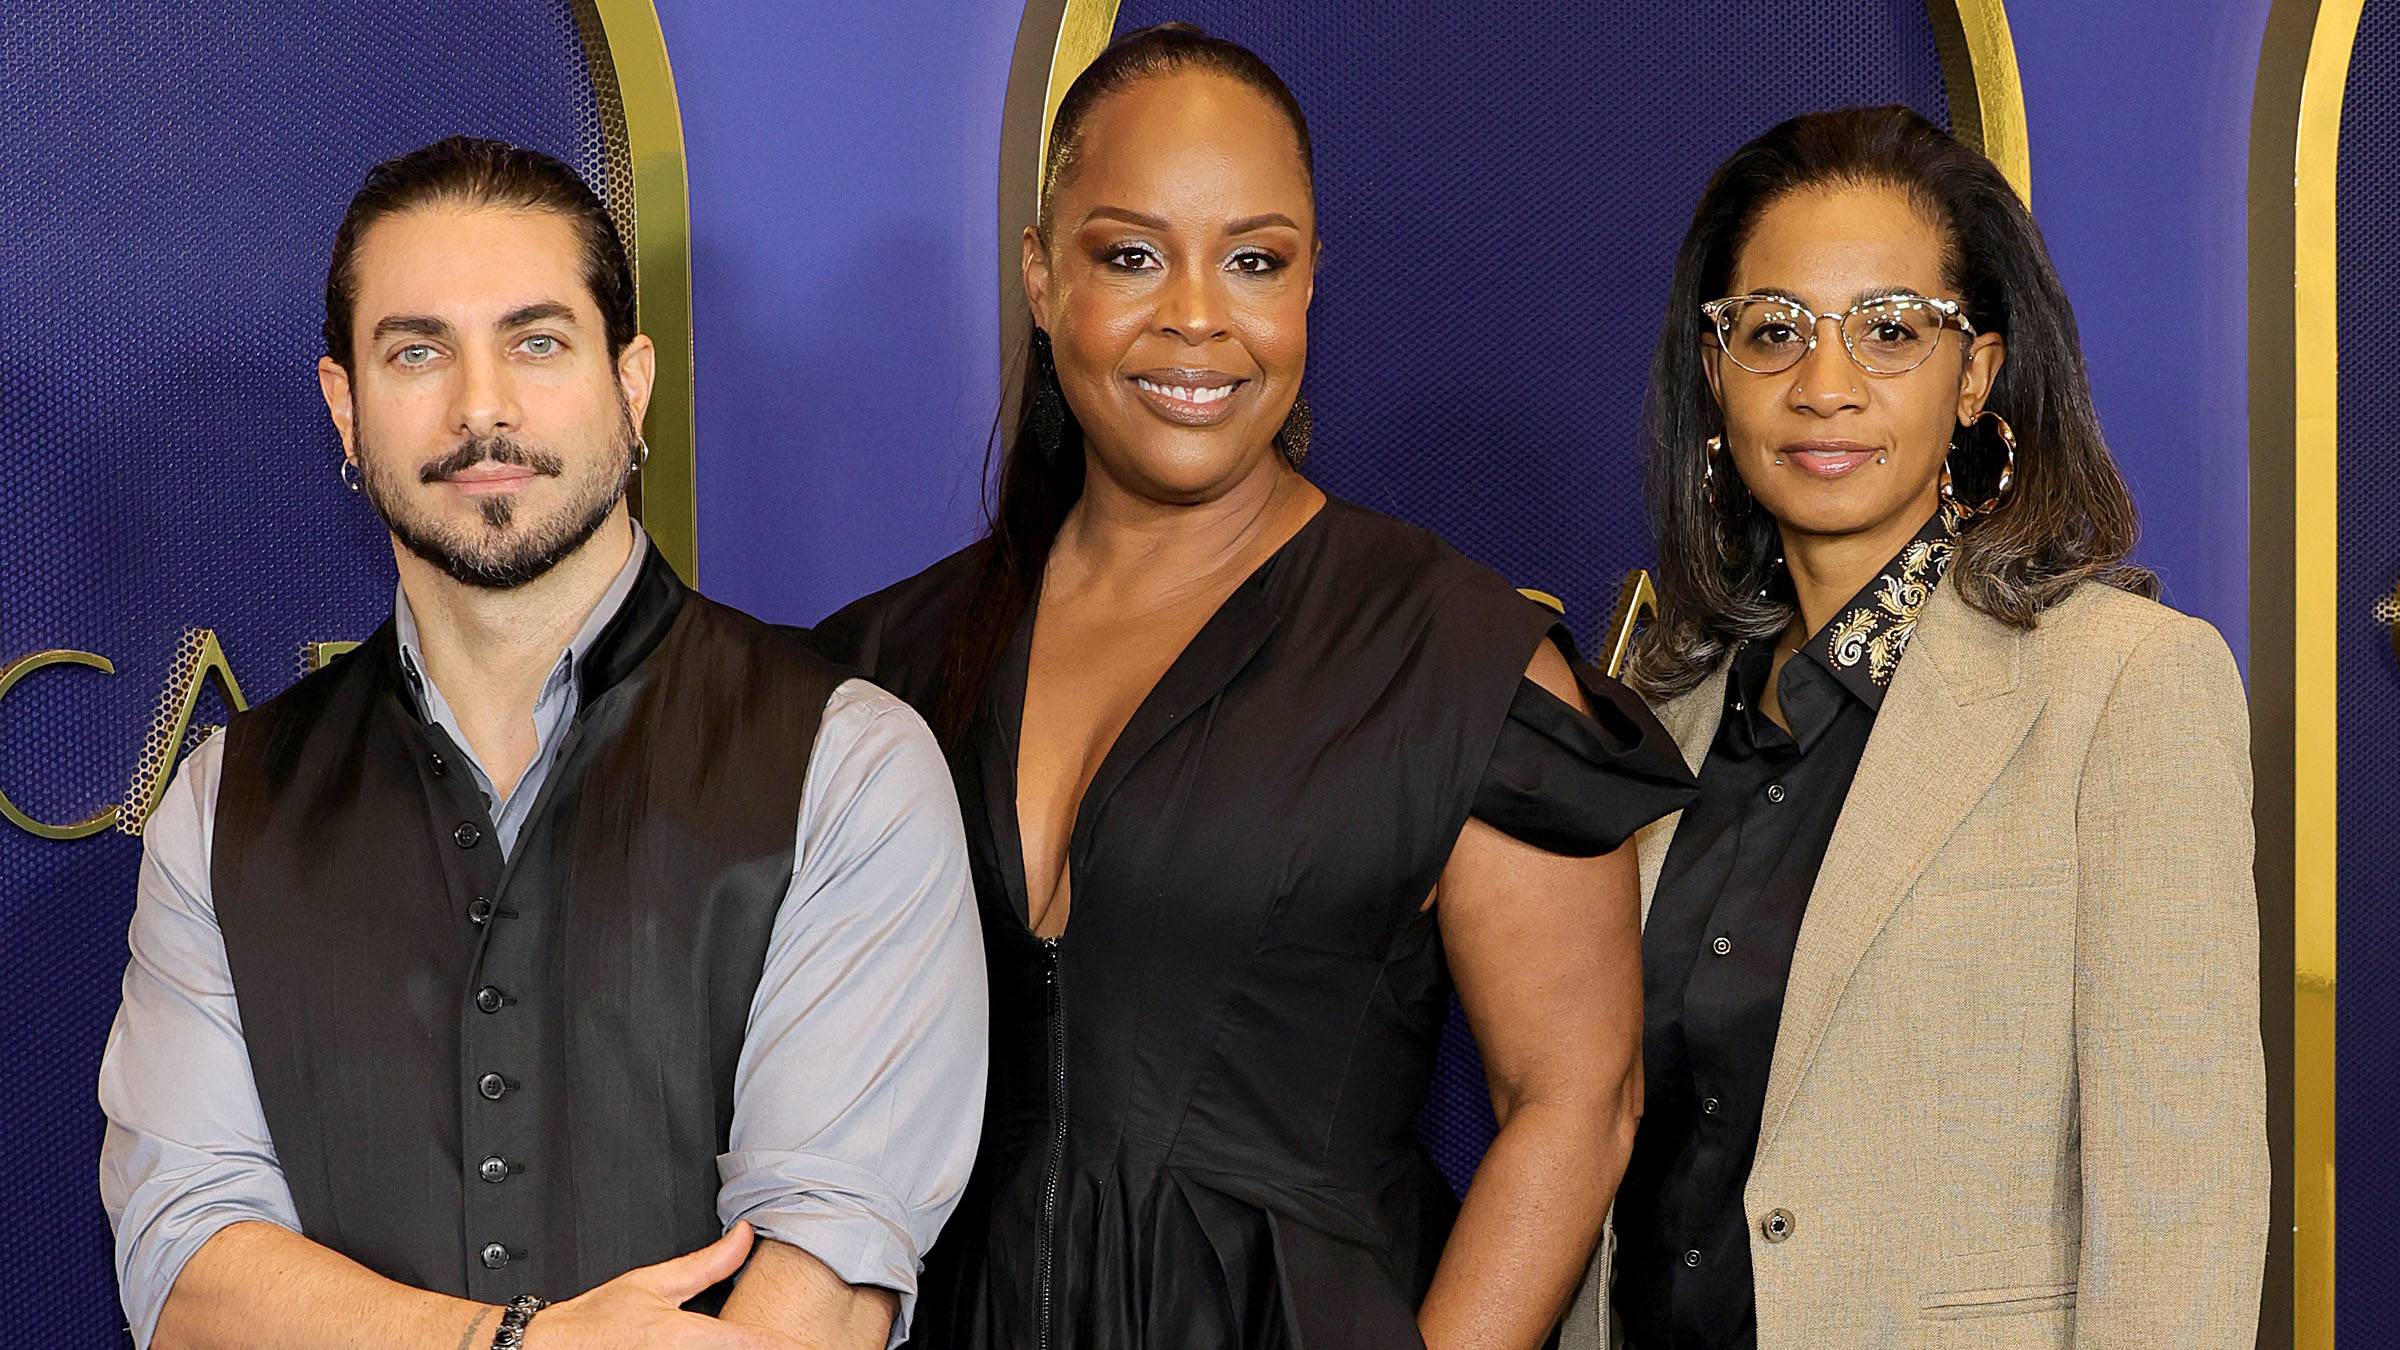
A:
(2140, 126)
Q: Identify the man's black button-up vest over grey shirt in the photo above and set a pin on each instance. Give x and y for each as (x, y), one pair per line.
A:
(493, 1080)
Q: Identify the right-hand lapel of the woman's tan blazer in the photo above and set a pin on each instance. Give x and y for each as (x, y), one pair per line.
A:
(1950, 724)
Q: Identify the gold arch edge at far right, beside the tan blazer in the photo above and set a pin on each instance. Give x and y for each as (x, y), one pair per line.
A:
(2296, 568)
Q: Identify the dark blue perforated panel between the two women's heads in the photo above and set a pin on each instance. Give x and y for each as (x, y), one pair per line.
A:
(1501, 193)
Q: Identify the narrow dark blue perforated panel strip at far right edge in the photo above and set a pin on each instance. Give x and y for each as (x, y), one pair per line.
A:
(2368, 1020)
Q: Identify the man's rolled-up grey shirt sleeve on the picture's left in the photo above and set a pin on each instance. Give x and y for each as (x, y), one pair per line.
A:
(186, 1152)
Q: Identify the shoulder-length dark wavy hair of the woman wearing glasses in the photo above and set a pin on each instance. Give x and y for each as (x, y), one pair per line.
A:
(2068, 520)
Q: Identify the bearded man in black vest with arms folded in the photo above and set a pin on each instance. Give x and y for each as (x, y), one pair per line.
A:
(570, 940)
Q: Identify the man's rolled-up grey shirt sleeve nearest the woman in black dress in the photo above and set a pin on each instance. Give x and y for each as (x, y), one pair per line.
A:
(860, 1089)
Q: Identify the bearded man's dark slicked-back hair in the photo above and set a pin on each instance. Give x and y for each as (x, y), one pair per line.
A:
(472, 172)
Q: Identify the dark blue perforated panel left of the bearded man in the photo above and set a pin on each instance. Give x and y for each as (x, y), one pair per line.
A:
(169, 189)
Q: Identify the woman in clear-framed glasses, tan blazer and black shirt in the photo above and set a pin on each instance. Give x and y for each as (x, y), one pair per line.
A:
(1952, 967)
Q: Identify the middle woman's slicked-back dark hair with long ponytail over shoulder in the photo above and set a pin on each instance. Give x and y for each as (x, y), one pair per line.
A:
(1043, 467)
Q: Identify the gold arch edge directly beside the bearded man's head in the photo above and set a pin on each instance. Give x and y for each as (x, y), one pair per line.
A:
(635, 80)
